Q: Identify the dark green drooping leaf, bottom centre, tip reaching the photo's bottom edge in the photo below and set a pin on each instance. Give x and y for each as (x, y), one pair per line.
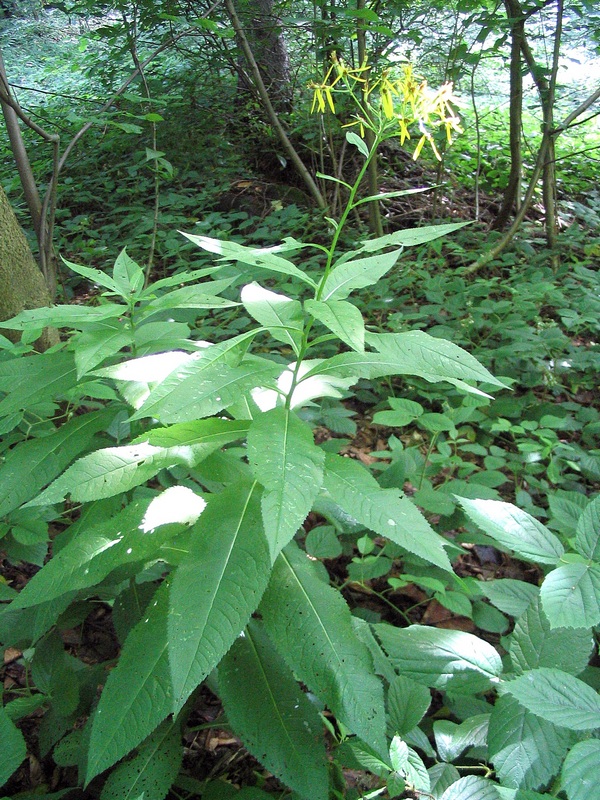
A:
(272, 716)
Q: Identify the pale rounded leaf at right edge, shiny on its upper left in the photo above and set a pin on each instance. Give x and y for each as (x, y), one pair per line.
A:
(571, 596)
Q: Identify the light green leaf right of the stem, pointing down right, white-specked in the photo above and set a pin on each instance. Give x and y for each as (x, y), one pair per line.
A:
(384, 511)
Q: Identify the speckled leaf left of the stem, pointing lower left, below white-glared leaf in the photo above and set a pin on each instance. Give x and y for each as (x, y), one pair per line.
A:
(206, 383)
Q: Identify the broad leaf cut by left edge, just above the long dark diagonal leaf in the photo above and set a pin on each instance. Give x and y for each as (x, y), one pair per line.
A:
(35, 379)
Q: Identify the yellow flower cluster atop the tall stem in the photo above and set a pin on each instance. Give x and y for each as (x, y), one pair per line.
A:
(407, 101)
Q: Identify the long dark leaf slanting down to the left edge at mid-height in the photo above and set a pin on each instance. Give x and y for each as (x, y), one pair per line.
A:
(30, 465)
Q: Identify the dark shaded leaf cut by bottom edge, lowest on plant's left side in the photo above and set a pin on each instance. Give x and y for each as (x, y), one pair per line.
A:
(150, 773)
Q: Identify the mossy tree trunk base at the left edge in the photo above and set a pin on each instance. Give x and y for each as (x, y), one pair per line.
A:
(22, 285)
